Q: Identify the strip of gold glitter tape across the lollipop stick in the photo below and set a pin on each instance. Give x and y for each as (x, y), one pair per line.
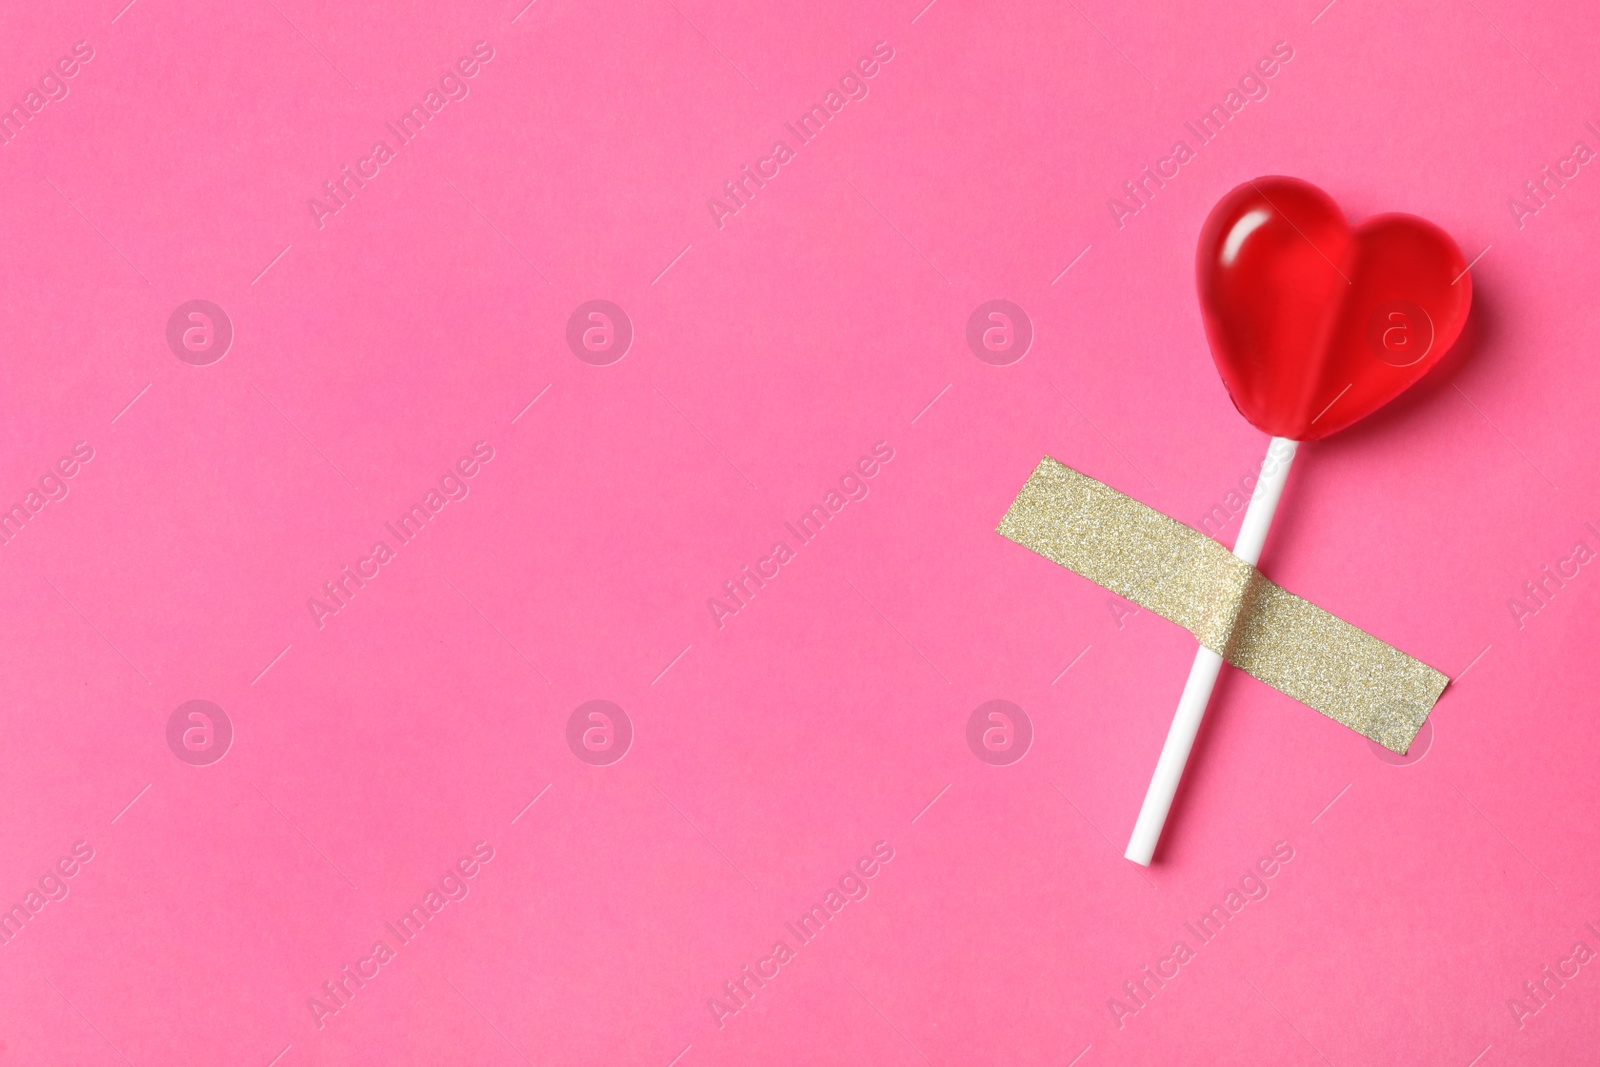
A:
(1263, 629)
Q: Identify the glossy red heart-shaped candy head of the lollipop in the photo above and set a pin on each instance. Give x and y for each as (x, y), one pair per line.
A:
(1314, 324)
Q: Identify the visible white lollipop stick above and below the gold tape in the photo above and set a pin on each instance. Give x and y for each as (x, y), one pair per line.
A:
(1202, 677)
